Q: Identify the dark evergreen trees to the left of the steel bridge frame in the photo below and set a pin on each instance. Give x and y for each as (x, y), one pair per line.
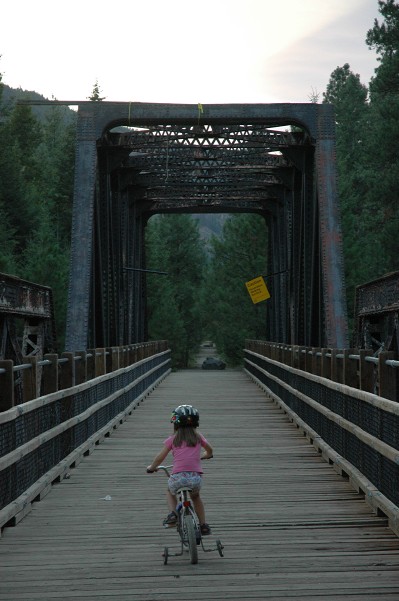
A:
(36, 189)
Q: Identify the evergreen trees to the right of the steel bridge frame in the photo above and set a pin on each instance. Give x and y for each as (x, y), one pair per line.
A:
(368, 156)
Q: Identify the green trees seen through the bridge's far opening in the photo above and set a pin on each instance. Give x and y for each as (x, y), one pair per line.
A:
(204, 297)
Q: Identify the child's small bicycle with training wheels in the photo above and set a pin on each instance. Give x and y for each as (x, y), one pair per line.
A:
(188, 526)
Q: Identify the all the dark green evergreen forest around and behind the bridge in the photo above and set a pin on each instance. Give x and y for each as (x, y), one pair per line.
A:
(36, 189)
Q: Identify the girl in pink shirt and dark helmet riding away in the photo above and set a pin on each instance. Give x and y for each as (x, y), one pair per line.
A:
(186, 444)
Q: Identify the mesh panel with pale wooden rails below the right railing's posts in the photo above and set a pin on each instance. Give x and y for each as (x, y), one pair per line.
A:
(361, 427)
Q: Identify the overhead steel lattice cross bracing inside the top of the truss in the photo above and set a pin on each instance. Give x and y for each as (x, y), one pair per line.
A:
(204, 164)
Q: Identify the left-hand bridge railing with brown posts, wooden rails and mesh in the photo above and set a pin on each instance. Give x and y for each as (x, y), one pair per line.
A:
(41, 439)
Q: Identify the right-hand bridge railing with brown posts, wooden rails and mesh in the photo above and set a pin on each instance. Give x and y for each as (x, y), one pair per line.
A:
(355, 430)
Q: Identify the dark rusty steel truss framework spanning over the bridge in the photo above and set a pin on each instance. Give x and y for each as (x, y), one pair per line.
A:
(135, 160)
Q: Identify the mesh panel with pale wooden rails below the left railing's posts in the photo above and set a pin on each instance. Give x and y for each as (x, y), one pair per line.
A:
(39, 435)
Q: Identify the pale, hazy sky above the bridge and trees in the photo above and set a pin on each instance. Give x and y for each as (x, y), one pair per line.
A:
(184, 51)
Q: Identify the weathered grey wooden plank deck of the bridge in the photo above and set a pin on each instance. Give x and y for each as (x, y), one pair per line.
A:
(291, 526)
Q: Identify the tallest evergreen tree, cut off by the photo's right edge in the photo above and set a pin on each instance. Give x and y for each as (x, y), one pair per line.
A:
(382, 160)
